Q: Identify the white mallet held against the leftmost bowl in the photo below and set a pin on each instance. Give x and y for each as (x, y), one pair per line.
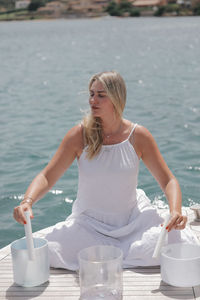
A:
(29, 236)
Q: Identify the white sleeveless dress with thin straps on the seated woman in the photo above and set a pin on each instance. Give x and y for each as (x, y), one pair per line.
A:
(110, 210)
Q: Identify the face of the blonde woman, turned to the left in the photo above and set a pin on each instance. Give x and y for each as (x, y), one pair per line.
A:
(100, 103)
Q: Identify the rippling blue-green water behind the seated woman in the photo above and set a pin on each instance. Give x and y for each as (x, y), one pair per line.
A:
(45, 67)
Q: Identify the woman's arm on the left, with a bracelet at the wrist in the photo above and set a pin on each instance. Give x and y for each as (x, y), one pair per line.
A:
(70, 148)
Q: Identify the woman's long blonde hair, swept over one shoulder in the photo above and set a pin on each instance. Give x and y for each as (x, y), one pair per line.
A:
(115, 89)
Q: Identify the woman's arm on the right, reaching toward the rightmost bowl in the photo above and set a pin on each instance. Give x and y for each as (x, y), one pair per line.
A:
(148, 151)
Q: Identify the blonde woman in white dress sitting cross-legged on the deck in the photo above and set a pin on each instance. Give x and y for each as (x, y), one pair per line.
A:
(109, 208)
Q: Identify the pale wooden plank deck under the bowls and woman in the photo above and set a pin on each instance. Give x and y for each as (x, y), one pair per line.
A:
(139, 283)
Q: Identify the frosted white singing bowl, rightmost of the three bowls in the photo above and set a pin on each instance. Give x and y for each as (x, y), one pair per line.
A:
(180, 264)
